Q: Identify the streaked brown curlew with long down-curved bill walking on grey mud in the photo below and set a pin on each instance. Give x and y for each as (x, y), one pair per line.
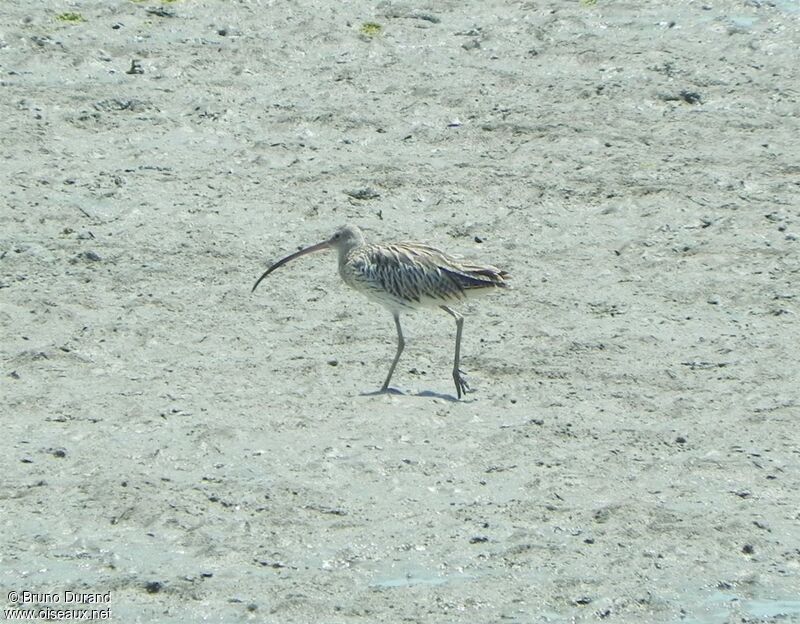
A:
(403, 277)
